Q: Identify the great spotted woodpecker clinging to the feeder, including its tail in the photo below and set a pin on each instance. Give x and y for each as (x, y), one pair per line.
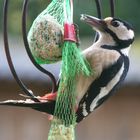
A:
(108, 57)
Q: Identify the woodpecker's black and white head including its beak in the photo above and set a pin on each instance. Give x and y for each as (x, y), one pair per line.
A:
(120, 32)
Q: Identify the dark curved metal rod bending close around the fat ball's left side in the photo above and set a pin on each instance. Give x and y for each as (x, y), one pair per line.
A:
(52, 77)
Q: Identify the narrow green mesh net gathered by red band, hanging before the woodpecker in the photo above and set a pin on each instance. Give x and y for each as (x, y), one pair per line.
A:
(73, 64)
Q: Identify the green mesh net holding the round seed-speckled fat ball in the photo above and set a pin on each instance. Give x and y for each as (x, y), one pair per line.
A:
(46, 34)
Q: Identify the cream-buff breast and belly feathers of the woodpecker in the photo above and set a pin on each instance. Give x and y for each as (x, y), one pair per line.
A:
(99, 59)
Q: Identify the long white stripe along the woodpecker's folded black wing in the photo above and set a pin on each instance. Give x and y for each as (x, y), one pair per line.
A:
(105, 90)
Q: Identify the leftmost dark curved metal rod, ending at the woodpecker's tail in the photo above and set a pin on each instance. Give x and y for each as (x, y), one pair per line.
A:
(7, 51)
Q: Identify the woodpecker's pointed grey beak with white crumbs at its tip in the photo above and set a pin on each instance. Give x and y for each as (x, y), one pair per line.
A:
(96, 23)
